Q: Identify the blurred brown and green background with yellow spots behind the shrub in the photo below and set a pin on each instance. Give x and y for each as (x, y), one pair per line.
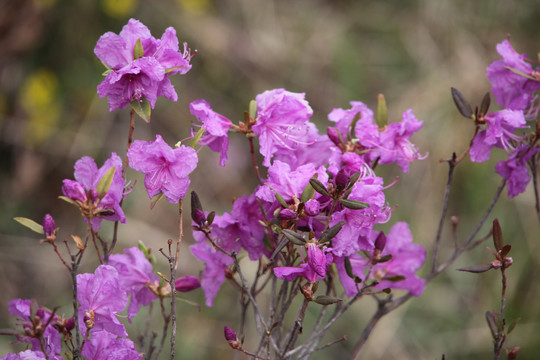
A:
(335, 51)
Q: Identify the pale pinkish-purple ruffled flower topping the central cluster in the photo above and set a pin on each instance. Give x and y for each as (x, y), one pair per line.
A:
(282, 121)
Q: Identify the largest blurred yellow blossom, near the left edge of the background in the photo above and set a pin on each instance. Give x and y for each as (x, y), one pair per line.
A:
(39, 100)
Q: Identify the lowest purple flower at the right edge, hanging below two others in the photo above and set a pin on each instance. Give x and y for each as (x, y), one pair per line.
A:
(515, 171)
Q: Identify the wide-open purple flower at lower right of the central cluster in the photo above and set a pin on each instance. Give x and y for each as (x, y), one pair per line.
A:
(406, 259)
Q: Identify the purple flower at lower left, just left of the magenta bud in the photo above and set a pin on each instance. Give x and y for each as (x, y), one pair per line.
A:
(135, 274)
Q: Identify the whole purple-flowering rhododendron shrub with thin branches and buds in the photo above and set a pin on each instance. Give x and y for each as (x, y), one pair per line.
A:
(314, 226)
